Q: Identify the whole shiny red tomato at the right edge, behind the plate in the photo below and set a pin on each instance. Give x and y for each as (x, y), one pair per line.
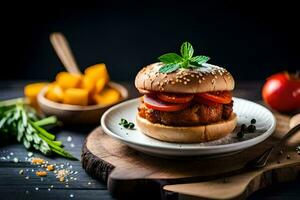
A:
(282, 92)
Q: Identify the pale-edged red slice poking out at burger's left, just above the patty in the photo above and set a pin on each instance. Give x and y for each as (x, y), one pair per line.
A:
(156, 104)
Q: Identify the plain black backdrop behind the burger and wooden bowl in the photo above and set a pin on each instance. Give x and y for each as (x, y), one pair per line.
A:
(252, 39)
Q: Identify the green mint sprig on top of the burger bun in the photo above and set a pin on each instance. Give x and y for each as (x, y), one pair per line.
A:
(173, 61)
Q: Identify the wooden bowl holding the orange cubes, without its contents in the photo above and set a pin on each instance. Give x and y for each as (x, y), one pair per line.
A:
(74, 114)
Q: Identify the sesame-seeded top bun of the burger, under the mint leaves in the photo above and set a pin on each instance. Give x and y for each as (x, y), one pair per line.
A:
(203, 79)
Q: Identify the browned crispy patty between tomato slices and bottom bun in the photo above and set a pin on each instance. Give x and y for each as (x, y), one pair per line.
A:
(195, 114)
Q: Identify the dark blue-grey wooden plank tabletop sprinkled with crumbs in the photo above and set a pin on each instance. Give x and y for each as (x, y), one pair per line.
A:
(81, 186)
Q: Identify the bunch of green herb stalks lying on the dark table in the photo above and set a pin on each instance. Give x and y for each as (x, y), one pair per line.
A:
(21, 121)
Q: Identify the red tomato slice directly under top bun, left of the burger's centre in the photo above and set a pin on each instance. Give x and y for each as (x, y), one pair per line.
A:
(175, 98)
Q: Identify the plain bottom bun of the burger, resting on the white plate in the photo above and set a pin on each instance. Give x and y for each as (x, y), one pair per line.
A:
(191, 134)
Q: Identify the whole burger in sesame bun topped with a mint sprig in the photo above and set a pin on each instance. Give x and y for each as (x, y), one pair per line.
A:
(185, 99)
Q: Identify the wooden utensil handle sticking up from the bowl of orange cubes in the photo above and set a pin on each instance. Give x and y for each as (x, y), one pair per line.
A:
(63, 50)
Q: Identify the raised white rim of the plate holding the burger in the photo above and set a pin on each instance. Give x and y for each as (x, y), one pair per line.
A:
(246, 143)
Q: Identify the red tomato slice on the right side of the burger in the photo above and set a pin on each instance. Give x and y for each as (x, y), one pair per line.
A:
(223, 97)
